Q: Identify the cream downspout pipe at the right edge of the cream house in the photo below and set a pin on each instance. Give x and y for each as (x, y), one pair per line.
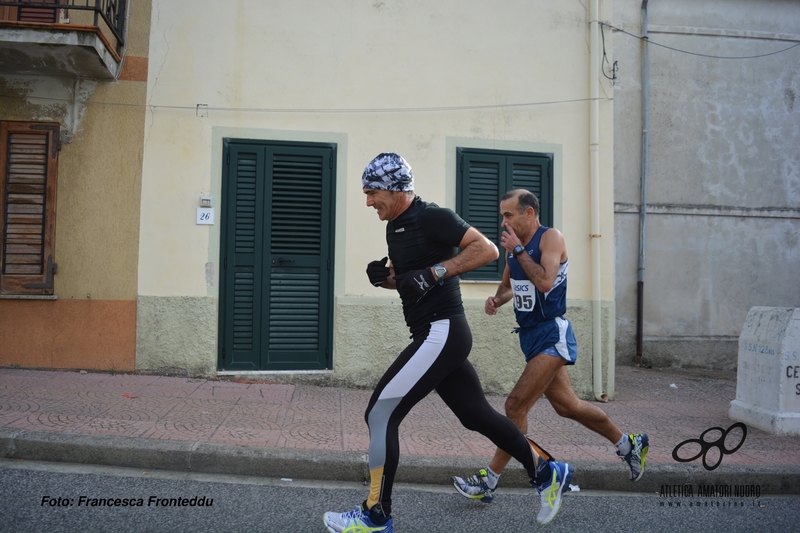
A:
(594, 170)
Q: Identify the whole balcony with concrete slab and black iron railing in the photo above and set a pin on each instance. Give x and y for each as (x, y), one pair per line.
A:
(69, 38)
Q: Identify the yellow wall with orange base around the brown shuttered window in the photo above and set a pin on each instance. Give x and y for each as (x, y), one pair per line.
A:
(92, 323)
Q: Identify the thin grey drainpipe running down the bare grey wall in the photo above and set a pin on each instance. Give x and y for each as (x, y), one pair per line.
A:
(643, 201)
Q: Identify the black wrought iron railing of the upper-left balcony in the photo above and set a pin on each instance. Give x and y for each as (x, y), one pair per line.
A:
(104, 14)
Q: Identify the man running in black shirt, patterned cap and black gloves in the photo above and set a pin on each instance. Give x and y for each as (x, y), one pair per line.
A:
(423, 241)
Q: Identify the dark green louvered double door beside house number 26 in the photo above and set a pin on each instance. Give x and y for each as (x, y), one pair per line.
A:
(277, 256)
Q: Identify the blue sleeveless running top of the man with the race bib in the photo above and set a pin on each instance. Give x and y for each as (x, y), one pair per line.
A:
(531, 305)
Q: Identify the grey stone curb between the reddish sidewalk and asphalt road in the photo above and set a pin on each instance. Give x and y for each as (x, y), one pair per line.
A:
(209, 458)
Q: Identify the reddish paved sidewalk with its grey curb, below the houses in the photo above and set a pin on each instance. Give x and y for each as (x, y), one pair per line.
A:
(299, 431)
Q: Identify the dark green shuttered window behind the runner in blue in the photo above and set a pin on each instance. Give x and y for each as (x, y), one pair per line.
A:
(483, 177)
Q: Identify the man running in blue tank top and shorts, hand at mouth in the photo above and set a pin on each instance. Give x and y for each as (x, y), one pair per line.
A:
(535, 277)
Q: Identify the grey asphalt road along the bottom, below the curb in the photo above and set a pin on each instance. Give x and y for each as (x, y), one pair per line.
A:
(58, 497)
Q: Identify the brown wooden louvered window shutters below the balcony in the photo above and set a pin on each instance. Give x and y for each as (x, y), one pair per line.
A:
(29, 159)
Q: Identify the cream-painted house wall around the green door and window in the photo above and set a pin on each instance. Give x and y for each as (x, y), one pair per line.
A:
(420, 78)
